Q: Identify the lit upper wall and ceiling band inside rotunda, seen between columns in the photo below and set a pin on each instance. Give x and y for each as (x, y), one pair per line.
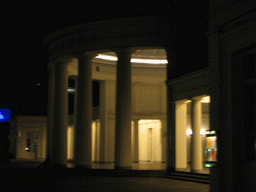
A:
(154, 73)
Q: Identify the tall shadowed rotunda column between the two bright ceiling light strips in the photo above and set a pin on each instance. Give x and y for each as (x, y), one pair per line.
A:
(123, 110)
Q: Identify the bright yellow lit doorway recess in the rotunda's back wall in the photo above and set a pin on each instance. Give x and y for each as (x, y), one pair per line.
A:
(144, 140)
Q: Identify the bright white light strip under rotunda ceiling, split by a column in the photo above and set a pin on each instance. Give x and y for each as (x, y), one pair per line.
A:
(148, 61)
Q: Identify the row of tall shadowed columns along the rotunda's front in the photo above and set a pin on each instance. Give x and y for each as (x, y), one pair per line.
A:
(58, 111)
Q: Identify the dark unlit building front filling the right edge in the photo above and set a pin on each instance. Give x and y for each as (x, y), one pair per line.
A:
(232, 44)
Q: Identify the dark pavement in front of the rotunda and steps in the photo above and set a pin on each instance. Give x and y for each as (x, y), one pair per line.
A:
(18, 177)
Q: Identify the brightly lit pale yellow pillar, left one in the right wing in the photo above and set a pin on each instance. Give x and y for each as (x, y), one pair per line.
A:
(180, 134)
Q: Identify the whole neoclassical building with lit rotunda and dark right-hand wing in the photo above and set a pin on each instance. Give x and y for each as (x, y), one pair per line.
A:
(154, 106)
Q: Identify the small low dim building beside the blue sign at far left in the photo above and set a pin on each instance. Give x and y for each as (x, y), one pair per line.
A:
(28, 137)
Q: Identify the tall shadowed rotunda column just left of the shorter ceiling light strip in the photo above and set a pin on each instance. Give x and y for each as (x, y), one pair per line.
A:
(84, 112)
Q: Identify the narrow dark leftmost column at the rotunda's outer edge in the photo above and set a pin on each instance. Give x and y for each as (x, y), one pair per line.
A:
(50, 110)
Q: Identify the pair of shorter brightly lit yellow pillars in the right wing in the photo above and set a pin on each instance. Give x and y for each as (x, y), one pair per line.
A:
(181, 134)
